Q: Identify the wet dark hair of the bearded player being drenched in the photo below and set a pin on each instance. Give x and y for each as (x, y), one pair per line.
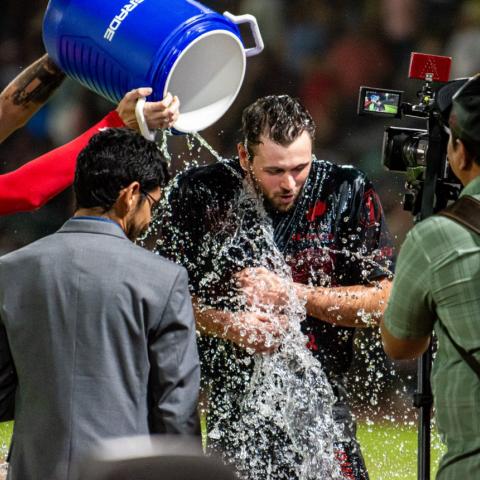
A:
(280, 118)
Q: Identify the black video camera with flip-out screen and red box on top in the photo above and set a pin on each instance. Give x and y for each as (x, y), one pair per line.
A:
(420, 153)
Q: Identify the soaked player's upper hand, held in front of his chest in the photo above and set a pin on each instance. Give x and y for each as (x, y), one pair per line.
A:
(263, 289)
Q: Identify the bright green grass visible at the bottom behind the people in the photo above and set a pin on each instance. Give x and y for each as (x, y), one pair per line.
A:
(390, 450)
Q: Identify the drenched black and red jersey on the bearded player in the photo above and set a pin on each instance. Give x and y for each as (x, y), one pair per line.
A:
(335, 235)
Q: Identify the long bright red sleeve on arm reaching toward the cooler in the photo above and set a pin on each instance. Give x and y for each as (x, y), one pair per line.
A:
(35, 183)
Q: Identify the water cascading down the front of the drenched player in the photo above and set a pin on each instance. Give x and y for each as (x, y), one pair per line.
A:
(272, 415)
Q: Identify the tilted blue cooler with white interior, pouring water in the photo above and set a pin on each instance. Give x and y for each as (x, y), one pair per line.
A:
(177, 46)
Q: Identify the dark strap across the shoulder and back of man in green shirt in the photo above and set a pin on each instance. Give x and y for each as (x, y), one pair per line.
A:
(466, 212)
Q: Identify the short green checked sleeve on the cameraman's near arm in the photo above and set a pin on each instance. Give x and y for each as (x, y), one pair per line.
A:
(409, 313)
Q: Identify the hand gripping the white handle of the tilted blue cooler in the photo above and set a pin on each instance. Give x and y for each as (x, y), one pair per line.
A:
(157, 114)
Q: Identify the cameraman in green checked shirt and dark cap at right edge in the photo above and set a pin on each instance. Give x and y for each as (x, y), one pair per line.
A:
(438, 284)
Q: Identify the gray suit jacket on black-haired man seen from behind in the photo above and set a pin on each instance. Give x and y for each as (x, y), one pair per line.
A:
(101, 335)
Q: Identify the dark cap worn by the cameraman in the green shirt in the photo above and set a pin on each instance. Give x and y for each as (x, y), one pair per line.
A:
(465, 115)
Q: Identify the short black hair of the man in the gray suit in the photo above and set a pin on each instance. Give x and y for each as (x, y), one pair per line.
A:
(112, 160)
